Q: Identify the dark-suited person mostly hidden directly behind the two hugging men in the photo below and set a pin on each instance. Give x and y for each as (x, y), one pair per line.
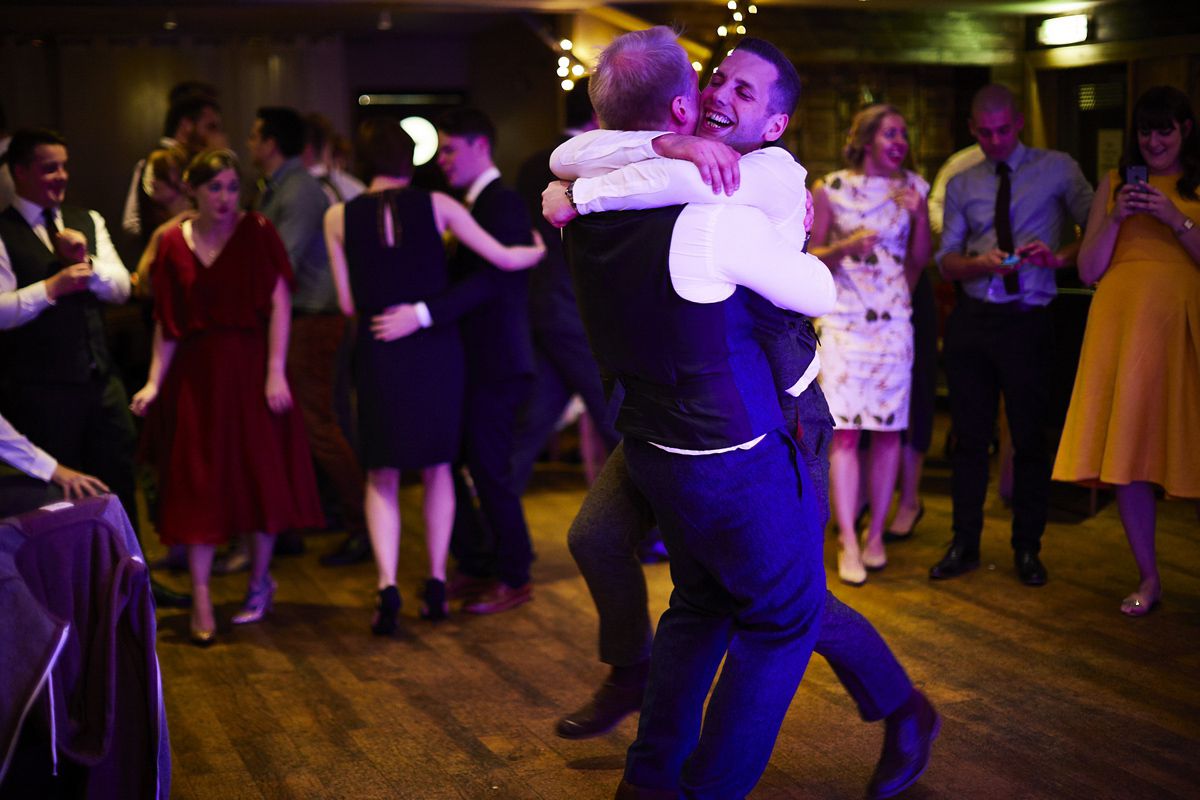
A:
(563, 363)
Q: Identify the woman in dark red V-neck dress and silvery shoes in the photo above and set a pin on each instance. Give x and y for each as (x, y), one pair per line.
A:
(229, 447)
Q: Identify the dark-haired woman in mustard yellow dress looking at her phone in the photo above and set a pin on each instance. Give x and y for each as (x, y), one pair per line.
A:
(1135, 418)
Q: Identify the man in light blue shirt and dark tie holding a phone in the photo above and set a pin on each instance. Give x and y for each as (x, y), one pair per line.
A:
(1000, 216)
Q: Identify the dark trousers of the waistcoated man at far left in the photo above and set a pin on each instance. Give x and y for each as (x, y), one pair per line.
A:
(86, 426)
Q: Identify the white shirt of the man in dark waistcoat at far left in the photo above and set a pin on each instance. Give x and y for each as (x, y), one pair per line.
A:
(110, 280)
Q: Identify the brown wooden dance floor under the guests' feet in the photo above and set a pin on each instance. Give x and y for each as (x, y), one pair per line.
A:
(1047, 693)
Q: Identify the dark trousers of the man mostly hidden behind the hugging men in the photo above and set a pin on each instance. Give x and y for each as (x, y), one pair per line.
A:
(563, 366)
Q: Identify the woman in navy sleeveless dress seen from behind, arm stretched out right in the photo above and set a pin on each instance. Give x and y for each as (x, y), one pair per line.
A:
(386, 249)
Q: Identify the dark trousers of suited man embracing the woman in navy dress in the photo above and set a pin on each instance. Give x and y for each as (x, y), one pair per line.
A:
(500, 543)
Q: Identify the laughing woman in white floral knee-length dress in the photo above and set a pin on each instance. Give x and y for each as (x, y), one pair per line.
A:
(872, 230)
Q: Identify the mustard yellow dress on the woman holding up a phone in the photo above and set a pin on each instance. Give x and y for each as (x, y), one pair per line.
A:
(1136, 408)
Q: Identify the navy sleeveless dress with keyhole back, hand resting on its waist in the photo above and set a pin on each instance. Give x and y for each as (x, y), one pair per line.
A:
(410, 392)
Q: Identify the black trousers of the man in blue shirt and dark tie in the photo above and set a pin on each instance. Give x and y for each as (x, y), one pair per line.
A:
(989, 352)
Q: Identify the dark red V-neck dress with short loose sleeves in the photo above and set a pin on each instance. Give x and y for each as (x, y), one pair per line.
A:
(226, 464)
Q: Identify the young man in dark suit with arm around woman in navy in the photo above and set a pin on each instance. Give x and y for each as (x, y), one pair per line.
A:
(493, 309)
